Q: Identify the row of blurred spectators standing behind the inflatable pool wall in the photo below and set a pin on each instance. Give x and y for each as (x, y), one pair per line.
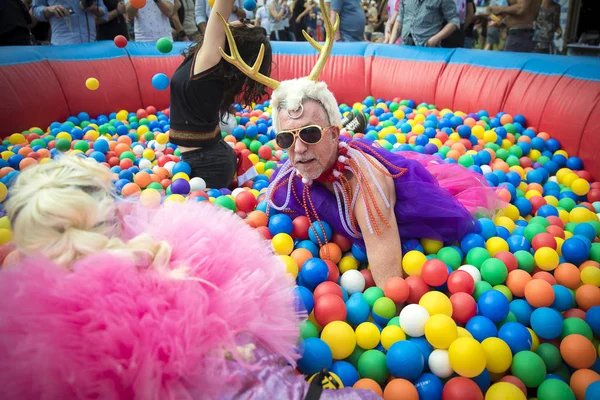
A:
(515, 25)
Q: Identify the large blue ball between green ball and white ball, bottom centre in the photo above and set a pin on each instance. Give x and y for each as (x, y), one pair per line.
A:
(405, 360)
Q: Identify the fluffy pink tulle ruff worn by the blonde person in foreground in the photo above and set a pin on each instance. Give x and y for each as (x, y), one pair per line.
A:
(113, 330)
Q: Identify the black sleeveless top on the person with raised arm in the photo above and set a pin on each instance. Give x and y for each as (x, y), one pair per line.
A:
(195, 103)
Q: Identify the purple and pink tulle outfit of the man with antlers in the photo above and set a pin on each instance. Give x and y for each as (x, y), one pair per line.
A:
(434, 200)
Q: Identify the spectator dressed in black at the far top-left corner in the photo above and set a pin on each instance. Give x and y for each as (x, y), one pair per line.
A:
(14, 23)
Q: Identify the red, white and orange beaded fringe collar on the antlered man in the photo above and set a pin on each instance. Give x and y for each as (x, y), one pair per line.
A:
(355, 158)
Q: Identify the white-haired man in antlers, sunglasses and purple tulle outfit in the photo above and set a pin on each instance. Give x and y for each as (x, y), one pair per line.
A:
(373, 196)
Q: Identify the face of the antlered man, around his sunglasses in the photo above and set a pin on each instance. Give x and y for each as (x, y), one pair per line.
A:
(311, 160)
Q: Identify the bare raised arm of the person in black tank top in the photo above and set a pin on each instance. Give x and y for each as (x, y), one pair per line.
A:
(214, 37)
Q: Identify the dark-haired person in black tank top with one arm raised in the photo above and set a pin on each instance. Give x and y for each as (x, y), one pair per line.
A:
(204, 86)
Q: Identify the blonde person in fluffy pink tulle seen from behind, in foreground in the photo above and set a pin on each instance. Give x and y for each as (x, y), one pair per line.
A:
(113, 299)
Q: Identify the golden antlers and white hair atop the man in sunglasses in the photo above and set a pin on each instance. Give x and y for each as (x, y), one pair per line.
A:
(291, 93)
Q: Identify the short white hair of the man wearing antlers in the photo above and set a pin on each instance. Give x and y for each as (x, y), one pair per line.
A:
(291, 93)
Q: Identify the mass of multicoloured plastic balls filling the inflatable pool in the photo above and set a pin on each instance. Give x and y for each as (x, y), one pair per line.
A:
(510, 311)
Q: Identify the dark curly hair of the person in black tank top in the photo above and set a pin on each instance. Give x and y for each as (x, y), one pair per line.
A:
(238, 87)
